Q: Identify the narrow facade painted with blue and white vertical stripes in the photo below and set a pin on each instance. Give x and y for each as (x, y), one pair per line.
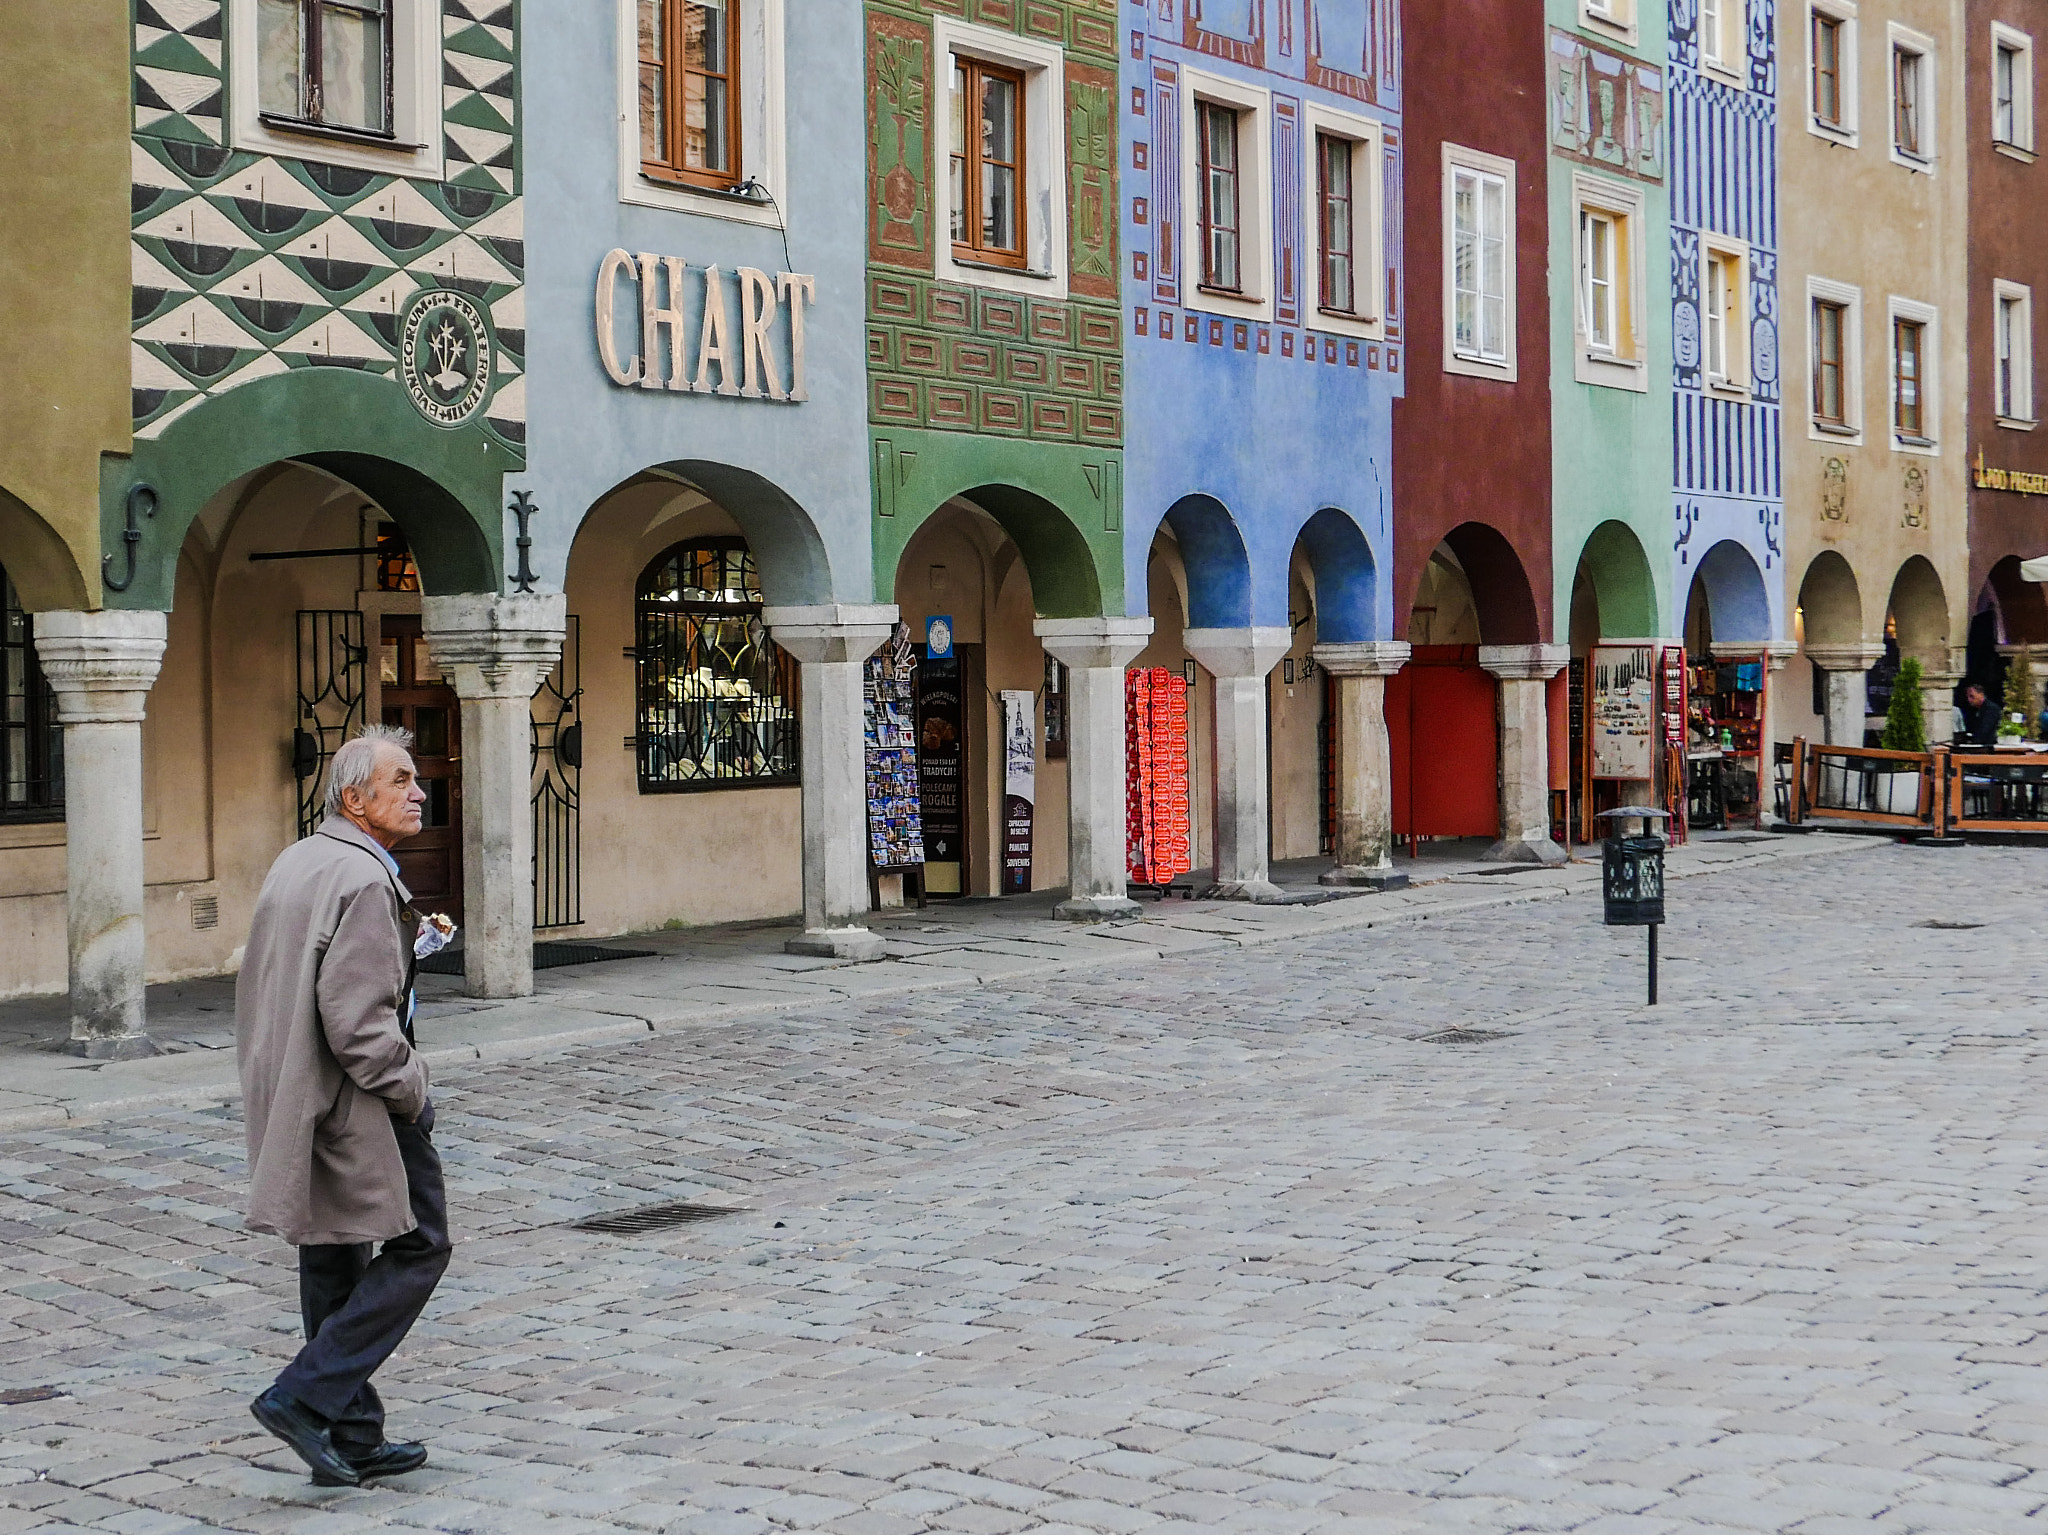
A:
(1725, 447)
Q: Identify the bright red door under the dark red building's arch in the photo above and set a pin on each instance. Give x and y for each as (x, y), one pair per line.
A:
(1445, 740)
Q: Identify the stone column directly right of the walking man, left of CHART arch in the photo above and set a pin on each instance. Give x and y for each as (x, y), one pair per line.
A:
(497, 650)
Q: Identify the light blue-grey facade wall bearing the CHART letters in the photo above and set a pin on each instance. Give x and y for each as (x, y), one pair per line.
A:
(796, 476)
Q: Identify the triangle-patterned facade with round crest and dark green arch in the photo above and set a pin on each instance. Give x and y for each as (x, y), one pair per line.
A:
(271, 302)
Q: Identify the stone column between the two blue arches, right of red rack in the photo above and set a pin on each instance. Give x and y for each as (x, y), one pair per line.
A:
(1240, 662)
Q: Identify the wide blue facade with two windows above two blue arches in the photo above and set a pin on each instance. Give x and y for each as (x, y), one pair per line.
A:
(1246, 431)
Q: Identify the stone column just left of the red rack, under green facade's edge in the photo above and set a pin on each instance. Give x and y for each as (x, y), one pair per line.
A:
(1095, 654)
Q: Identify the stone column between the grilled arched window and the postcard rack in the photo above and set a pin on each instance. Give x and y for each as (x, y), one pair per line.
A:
(833, 642)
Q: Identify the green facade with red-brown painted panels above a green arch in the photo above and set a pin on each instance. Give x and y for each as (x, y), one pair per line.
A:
(1005, 398)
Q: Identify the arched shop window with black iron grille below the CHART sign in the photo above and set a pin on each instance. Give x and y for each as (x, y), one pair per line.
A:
(718, 699)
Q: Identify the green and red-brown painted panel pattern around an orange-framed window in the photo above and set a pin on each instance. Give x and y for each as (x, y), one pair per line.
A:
(964, 359)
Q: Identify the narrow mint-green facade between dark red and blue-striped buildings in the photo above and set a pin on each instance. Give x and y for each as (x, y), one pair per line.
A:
(1611, 447)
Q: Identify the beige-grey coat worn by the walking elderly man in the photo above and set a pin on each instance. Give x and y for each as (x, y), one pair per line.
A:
(323, 1051)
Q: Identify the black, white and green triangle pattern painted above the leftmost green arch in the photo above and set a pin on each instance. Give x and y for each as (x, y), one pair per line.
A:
(247, 265)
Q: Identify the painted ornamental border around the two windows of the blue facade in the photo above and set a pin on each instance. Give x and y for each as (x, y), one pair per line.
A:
(1158, 234)
